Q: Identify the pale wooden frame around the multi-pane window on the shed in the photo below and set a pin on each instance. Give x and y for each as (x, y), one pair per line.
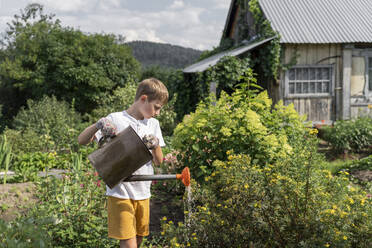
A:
(310, 95)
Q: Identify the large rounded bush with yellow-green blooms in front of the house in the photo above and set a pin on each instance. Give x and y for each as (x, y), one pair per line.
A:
(243, 123)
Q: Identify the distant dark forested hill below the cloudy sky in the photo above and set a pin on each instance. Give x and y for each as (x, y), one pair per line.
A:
(165, 55)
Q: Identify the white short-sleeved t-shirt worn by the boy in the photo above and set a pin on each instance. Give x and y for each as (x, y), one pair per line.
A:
(139, 190)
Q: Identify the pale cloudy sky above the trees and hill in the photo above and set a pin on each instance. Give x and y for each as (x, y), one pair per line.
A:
(195, 24)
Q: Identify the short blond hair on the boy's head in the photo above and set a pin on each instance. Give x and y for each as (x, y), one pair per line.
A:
(154, 89)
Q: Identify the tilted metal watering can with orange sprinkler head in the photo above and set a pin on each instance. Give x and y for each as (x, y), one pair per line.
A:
(118, 159)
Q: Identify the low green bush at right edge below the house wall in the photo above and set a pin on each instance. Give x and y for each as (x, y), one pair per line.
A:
(350, 135)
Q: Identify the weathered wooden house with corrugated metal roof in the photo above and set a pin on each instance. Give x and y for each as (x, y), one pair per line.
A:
(331, 78)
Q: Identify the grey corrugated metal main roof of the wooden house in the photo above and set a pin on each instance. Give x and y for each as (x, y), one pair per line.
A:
(320, 21)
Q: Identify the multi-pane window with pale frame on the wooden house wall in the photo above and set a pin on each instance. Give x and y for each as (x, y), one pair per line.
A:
(312, 80)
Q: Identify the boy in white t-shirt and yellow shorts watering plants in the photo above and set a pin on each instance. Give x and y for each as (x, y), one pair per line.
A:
(128, 202)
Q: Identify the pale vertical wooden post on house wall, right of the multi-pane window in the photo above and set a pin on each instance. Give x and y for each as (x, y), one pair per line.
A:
(346, 80)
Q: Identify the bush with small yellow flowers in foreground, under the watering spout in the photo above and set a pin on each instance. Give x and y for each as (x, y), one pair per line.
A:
(285, 204)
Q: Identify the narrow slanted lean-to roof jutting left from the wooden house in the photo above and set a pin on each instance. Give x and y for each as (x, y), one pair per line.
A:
(211, 61)
